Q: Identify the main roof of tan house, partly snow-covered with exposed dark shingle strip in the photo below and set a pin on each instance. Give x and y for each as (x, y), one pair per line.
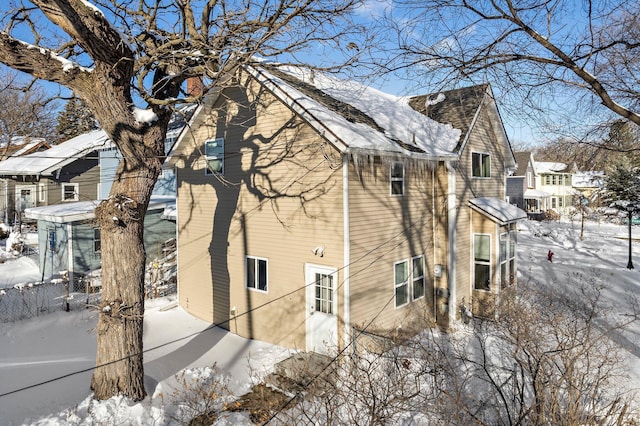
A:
(355, 117)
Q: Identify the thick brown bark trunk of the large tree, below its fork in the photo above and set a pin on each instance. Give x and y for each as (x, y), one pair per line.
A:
(119, 358)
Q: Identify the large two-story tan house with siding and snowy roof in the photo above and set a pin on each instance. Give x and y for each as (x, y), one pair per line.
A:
(311, 208)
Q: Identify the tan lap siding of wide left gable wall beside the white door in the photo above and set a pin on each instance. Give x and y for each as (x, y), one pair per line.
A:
(281, 200)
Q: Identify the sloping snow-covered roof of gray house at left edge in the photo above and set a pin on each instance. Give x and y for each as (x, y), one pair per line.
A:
(56, 157)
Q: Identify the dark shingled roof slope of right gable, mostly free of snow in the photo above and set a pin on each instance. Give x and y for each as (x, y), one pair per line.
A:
(458, 108)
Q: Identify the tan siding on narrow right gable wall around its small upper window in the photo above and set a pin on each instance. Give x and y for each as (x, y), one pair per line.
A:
(482, 139)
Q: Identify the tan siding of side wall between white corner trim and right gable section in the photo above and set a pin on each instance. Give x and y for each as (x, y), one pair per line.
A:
(385, 229)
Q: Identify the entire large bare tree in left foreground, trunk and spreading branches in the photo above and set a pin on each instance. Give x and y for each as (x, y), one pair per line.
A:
(128, 60)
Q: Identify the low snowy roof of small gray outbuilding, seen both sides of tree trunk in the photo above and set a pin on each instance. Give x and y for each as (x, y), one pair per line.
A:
(84, 210)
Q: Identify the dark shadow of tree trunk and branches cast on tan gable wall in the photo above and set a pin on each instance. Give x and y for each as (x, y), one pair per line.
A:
(266, 166)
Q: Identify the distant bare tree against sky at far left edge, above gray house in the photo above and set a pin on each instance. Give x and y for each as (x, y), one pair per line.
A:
(27, 112)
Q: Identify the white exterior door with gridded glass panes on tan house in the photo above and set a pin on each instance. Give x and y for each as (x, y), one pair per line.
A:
(322, 306)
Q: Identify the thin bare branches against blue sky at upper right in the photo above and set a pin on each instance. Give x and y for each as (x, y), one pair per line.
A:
(578, 61)
